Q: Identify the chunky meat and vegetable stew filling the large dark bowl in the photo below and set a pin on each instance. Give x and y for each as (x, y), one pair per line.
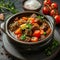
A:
(30, 29)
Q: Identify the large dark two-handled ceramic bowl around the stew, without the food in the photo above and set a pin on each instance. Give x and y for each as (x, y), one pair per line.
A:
(28, 45)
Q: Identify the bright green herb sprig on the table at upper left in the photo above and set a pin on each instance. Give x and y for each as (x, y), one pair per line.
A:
(8, 6)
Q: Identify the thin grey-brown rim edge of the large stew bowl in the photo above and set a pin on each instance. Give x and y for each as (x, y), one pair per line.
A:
(6, 29)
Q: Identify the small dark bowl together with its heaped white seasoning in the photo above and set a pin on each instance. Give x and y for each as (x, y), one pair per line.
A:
(32, 5)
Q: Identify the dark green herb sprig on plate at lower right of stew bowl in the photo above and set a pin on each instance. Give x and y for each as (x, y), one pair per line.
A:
(49, 50)
